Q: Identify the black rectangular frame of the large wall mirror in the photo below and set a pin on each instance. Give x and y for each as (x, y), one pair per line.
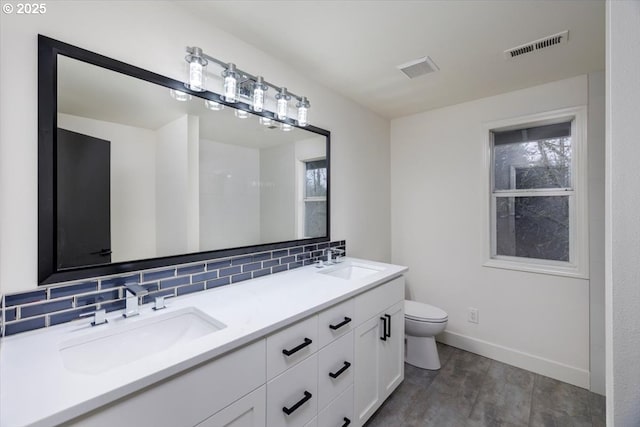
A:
(48, 273)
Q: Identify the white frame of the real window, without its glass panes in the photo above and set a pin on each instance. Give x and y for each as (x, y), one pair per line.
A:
(578, 264)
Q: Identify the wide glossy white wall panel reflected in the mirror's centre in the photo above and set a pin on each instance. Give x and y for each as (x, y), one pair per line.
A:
(229, 195)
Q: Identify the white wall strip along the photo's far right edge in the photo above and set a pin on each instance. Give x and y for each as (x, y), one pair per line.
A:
(622, 207)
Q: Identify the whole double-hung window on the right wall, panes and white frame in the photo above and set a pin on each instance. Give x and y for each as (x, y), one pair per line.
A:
(537, 202)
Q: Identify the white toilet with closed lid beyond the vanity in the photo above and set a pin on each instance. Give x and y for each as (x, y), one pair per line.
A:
(422, 322)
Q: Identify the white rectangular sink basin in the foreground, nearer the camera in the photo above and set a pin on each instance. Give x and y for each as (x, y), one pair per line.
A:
(114, 346)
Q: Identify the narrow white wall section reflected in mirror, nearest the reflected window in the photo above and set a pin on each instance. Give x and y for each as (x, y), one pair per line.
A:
(277, 194)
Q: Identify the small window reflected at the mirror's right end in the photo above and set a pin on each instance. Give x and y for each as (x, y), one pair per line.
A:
(315, 198)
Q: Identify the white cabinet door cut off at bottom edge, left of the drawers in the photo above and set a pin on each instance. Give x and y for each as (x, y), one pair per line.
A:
(250, 411)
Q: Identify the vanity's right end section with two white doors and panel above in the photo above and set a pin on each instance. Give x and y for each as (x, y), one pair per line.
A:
(379, 347)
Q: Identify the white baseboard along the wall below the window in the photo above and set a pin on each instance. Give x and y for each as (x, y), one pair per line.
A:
(510, 356)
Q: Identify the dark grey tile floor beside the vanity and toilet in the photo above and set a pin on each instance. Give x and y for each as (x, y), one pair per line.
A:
(471, 390)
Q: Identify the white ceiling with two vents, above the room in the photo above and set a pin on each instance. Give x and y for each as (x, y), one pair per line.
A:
(354, 47)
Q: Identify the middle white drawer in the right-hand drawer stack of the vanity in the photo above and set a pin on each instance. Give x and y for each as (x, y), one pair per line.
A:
(335, 369)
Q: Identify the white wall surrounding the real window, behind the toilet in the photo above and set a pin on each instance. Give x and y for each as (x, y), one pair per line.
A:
(536, 321)
